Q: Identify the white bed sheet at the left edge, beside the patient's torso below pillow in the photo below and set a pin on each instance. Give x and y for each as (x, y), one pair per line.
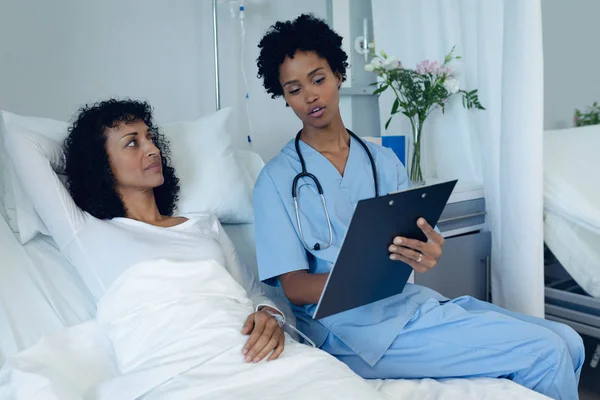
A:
(40, 292)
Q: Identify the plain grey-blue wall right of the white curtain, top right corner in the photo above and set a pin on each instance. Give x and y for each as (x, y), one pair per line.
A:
(571, 59)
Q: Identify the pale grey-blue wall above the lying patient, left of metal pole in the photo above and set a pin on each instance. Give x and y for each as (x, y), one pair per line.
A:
(58, 55)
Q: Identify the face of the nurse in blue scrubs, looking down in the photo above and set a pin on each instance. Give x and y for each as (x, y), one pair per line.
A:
(311, 88)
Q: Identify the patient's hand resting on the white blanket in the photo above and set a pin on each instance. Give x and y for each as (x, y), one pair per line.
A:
(266, 336)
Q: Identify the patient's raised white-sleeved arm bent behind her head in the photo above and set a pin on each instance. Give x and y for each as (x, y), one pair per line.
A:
(34, 158)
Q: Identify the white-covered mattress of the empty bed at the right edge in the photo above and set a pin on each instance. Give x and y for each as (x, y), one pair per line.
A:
(572, 202)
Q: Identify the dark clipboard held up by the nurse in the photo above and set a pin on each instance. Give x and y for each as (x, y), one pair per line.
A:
(363, 272)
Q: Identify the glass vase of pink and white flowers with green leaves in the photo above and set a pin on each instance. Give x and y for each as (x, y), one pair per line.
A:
(417, 93)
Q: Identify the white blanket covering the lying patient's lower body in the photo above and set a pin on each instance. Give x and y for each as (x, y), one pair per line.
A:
(174, 332)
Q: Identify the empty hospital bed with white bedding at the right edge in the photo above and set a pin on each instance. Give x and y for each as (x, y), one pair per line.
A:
(572, 227)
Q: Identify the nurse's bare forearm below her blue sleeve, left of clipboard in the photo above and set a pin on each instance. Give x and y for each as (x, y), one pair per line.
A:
(302, 287)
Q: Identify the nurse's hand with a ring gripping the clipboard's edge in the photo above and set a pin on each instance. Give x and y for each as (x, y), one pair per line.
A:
(419, 255)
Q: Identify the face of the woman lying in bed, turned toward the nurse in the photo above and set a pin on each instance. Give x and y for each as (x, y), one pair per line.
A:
(134, 159)
